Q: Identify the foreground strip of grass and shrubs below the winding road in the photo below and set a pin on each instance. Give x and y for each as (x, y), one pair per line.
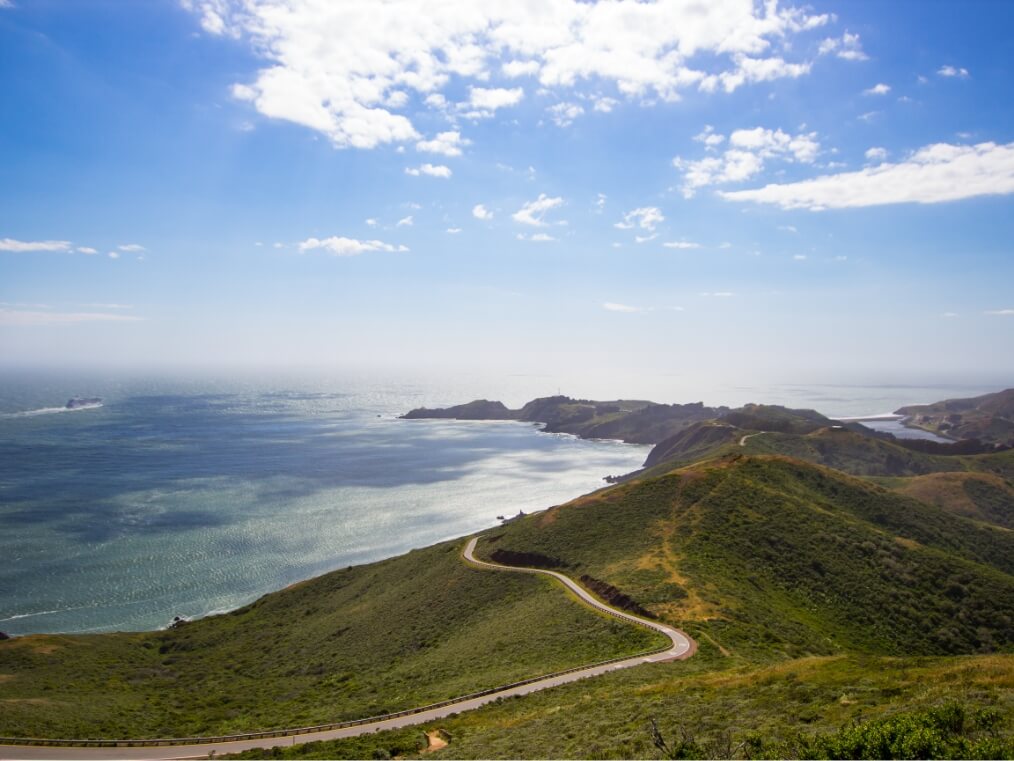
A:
(809, 708)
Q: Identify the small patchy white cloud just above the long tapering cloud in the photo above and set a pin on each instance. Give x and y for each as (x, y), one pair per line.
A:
(748, 153)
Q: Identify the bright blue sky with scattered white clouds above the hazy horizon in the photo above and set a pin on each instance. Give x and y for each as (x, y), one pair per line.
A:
(730, 188)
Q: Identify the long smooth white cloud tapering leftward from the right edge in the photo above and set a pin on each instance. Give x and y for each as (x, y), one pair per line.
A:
(935, 174)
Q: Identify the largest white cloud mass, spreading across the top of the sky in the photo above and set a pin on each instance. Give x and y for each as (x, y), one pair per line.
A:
(345, 70)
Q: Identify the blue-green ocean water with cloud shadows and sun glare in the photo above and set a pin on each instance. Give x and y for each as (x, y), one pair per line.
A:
(197, 496)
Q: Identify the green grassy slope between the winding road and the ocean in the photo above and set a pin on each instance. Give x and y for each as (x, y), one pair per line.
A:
(397, 635)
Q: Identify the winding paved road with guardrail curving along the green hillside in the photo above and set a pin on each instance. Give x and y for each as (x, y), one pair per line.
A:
(683, 648)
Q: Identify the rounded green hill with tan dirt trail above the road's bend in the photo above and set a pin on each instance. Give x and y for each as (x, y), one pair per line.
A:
(769, 558)
